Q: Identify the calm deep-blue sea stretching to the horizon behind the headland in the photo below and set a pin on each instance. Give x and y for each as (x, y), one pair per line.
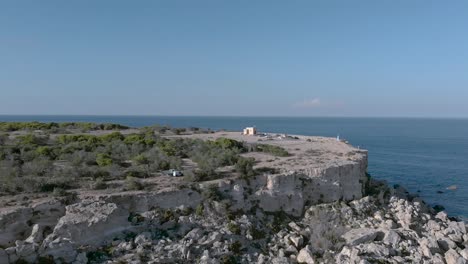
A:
(424, 155)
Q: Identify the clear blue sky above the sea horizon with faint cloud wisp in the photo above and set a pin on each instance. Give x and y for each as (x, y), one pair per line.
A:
(247, 57)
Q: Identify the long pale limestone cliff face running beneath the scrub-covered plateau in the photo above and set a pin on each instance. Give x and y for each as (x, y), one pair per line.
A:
(51, 228)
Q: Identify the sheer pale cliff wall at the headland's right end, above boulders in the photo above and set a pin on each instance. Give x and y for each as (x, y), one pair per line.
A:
(291, 191)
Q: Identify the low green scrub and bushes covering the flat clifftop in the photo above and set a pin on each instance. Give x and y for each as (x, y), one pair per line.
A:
(40, 157)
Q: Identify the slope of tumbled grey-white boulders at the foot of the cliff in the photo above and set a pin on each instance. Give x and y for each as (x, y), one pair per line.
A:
(386, 226)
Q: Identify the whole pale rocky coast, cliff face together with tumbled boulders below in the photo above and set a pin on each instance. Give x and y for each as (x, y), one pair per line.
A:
(333, 212)
